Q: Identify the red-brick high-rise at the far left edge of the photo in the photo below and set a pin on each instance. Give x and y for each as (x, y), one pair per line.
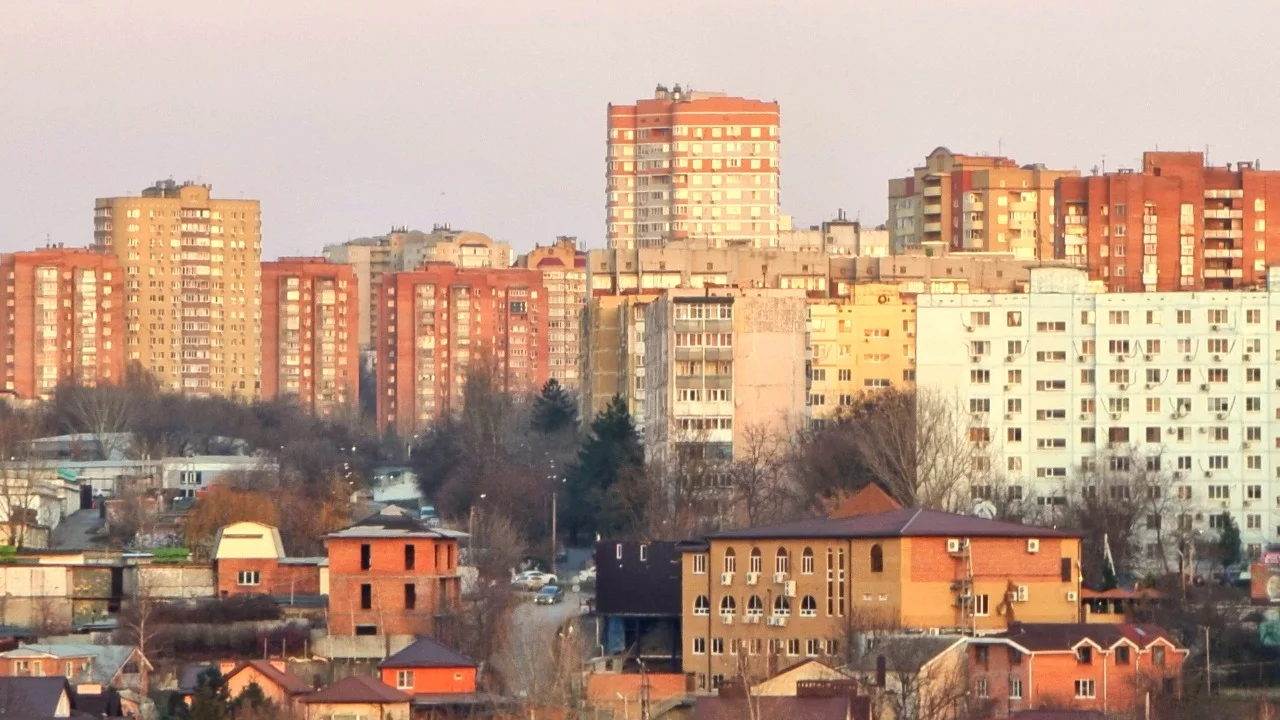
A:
(65, 321)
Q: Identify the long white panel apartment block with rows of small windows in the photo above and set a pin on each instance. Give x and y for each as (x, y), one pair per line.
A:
(1071, 389)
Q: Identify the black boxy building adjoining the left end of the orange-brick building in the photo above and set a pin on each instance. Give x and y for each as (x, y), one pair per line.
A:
(638, 601)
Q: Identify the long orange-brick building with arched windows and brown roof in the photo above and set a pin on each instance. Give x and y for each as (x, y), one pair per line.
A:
(790, 593)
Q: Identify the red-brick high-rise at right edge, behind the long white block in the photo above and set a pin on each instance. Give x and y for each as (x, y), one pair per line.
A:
(1178, 225)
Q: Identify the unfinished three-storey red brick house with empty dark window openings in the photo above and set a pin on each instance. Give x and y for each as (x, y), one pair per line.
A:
(391, 576)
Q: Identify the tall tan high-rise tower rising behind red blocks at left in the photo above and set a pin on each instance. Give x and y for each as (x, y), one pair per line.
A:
(191, 285)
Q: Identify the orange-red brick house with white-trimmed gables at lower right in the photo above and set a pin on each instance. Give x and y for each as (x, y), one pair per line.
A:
(1108, 668)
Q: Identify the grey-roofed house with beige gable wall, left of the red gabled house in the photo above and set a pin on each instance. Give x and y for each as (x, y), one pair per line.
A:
(911, 676)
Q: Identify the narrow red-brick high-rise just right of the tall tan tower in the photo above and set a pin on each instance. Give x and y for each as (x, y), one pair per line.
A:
(310, 317)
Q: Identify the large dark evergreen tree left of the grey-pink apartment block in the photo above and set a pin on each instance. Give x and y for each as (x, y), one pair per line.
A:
(610, 459)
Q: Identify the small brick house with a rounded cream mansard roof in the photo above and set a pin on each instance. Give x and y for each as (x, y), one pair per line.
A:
(250, 559)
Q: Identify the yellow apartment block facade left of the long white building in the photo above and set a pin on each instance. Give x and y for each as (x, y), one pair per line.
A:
(857, 345)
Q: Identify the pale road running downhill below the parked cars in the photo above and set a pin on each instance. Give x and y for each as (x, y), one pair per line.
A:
(529, 660)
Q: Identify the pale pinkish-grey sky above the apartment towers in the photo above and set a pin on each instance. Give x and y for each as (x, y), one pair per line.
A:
(348, 119)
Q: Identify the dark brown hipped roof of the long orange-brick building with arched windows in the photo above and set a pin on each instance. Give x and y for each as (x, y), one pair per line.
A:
(898, 523)
